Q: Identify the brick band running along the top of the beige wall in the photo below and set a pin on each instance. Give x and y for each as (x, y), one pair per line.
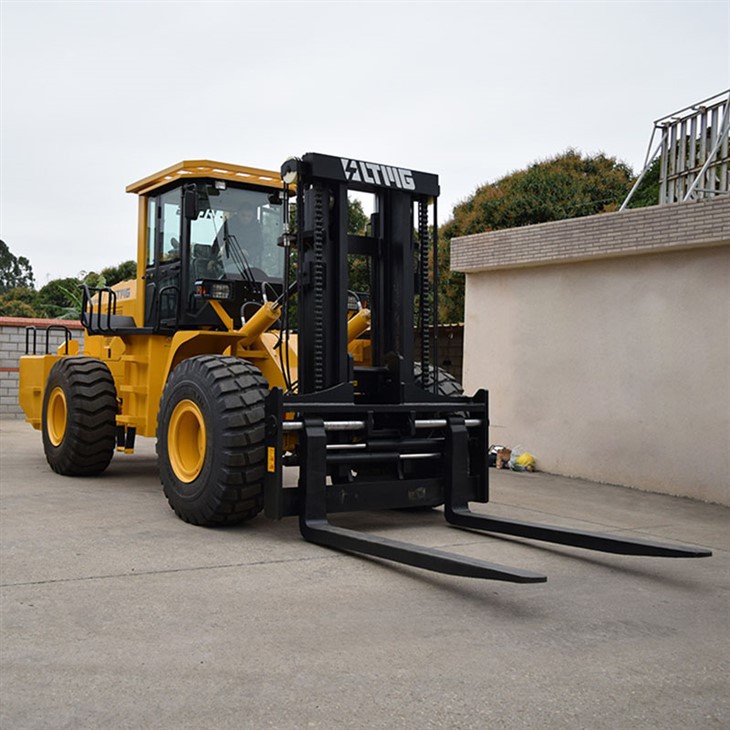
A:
(645, 230)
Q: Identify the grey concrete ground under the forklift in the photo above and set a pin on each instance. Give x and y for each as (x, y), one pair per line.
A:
(115, 614)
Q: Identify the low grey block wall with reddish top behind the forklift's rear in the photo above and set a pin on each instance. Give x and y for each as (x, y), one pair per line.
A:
(13, 345)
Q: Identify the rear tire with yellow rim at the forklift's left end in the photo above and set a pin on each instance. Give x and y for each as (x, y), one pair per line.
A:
(79, 417)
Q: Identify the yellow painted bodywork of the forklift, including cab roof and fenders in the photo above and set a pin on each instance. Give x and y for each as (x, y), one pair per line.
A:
(141, 363)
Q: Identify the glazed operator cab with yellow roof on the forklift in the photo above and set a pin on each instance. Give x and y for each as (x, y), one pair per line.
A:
(209, 238)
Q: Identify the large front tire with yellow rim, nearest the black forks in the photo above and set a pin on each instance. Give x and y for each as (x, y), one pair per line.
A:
(210, 440)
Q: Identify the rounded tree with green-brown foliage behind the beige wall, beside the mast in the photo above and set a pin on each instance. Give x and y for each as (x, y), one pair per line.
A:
(568, 185)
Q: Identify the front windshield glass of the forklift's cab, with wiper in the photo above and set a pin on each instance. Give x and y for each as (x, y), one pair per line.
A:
(235, 235)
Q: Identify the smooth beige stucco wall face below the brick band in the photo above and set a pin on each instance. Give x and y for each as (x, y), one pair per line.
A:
(615, 369)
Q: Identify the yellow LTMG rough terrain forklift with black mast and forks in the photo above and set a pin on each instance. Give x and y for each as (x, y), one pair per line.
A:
(242, 348)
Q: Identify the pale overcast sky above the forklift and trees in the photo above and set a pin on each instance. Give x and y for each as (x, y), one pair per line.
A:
(98, 94)
